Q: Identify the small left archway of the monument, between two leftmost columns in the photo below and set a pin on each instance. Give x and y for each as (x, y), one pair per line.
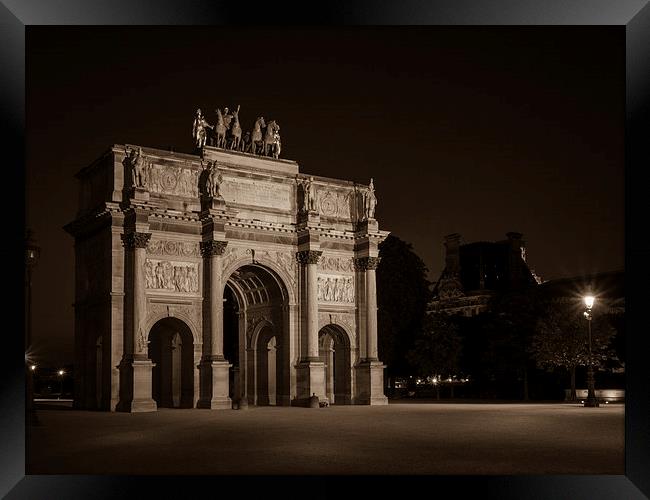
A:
(172, 351)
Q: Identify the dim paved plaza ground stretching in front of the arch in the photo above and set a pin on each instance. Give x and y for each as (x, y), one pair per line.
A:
(401, 438)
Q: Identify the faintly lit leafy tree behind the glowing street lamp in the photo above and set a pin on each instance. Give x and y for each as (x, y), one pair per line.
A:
(561, 340)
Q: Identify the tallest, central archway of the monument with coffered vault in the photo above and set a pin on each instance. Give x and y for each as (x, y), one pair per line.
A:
(256, 333)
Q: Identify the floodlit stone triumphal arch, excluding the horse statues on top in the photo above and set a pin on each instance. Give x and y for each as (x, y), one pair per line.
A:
(222, 279)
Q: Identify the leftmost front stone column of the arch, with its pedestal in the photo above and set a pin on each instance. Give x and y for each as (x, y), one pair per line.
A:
(136, 367)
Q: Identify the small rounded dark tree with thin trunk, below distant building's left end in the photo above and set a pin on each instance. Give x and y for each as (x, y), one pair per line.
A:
(437, 349)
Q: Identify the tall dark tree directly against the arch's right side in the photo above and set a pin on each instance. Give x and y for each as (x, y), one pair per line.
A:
(403, 293)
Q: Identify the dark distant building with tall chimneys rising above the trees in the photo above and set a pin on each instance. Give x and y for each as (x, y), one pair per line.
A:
(476, 271)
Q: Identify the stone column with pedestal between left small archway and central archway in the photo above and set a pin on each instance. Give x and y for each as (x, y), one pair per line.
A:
(214, 367)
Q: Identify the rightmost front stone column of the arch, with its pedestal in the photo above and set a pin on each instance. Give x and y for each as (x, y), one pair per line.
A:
(370, 372)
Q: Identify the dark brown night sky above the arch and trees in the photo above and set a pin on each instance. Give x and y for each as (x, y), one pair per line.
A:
(474, 130)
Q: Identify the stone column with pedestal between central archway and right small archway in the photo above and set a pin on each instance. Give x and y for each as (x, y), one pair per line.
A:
(311, 370)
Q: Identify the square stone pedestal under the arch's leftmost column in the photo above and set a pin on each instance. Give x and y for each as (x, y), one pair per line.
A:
(135, 387)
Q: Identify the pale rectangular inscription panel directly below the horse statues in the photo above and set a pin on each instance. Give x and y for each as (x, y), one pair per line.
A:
(257, 193)
